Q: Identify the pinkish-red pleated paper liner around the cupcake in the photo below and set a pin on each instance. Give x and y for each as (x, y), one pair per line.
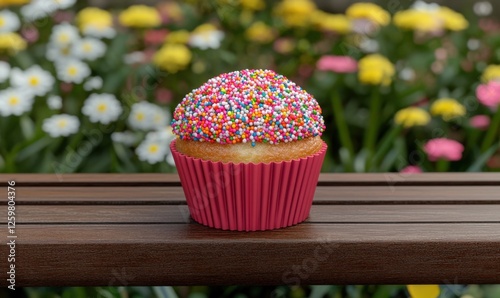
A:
(248, 196)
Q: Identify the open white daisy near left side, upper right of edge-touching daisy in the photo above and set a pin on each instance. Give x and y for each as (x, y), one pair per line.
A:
(34, 79)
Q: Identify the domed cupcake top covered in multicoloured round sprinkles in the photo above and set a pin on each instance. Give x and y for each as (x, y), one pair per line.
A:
(255, 106)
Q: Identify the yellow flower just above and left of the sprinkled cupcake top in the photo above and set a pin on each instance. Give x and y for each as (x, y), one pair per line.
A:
(172, 57)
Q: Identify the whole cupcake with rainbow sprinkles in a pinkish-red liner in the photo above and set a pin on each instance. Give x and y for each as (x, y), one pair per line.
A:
(248, 151)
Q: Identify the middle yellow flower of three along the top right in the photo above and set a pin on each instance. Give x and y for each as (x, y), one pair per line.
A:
(416, 20)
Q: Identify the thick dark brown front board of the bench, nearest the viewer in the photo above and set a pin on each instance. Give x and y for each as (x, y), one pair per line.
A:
(173, 254)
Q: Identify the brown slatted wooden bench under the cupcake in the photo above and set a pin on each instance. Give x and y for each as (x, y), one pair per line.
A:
(123, 230)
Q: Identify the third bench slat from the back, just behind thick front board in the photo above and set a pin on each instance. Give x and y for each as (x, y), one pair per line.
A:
(319, 214)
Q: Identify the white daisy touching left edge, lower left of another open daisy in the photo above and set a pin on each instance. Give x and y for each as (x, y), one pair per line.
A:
(15, 102)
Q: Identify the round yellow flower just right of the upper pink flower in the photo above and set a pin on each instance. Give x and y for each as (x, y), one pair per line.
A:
(375, 69)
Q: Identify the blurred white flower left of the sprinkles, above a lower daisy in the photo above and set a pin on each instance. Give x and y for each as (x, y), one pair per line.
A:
(148, 116)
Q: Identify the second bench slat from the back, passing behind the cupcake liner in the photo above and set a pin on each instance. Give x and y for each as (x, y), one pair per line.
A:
(324, 195)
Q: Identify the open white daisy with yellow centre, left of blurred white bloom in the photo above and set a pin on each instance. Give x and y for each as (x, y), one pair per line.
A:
(102, 108)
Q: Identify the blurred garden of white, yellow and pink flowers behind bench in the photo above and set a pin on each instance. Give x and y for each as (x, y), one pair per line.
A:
(405, 86)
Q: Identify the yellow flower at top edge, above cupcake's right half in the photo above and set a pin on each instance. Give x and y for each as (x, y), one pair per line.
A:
(296, 13)
